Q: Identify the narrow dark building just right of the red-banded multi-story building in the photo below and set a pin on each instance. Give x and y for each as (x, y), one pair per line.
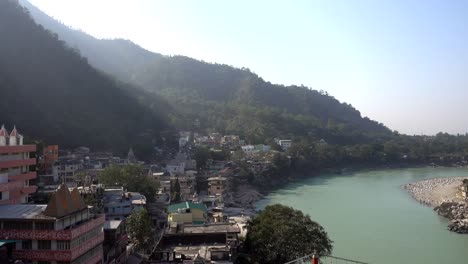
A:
(115, 242)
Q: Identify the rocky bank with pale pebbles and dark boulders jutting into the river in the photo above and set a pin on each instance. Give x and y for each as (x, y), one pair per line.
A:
(441, 193)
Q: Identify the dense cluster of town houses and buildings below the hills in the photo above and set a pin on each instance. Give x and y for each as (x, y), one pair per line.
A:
(189, 207)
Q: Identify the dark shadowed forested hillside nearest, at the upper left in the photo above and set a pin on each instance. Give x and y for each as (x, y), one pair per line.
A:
(51, 93)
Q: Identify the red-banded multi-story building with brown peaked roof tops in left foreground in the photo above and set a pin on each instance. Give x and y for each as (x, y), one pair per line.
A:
(63, 231)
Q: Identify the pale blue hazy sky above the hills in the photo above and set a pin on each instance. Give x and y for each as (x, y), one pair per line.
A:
(399, 62)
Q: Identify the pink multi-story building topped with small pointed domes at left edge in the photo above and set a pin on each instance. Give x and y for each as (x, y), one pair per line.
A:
(16, 173)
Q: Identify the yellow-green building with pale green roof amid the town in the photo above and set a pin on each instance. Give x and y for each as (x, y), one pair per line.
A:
(187, 213)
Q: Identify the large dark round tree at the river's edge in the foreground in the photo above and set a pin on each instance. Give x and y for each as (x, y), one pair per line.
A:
(280, 234)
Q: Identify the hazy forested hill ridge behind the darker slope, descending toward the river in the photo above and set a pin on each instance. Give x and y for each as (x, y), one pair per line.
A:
(222, 97)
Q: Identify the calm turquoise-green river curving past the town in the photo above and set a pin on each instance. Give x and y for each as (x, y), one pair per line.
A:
(371, 219)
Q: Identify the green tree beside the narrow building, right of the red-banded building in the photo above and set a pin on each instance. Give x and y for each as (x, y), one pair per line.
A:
(139, 227)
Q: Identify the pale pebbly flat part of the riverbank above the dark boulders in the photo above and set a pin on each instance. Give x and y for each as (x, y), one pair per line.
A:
(433, 192)
